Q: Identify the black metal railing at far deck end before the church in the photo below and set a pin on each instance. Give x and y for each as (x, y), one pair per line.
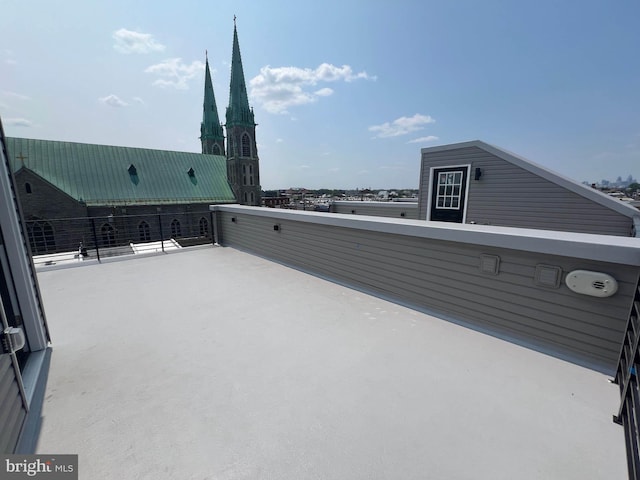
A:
(56, 240)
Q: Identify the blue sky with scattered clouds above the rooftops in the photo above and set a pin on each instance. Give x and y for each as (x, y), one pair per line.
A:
(345, 93)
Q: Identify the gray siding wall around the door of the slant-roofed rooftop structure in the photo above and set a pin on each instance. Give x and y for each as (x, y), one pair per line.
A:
(511, 196)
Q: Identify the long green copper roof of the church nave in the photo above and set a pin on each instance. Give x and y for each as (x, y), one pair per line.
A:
(108, 175)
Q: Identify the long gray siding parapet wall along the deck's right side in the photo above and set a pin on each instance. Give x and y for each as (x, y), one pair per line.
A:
(443, 277)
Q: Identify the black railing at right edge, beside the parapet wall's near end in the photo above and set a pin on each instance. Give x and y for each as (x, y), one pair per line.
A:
(627, 379)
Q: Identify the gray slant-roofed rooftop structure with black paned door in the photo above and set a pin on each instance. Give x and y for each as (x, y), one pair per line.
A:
(474, 182)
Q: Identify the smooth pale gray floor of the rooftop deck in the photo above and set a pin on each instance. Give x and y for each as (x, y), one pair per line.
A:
(215, 364)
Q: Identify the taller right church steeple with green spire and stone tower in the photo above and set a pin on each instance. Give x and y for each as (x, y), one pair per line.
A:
(242, 150)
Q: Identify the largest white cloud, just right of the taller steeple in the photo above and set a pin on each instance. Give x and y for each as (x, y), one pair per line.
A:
(277, 89)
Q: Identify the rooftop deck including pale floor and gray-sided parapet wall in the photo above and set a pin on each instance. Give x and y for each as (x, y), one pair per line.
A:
(225, 362)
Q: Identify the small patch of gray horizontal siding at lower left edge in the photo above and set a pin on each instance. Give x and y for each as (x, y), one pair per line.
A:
(12, 411)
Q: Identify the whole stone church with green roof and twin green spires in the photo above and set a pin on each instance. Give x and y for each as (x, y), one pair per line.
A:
(137, 195)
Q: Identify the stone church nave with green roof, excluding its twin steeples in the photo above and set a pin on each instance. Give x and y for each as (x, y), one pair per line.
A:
(125, 187)
